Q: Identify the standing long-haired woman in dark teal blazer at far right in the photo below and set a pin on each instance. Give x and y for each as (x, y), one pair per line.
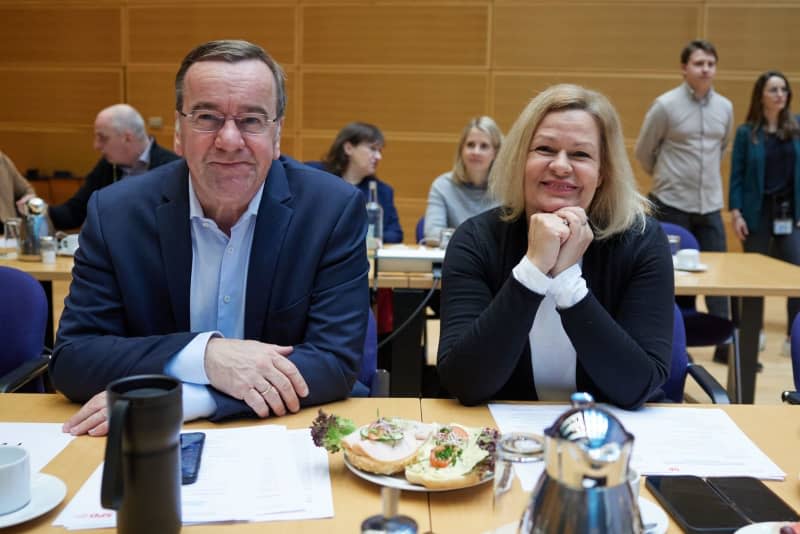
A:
(764, 194)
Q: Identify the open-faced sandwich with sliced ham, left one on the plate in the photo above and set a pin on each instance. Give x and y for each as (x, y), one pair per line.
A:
(385, 446)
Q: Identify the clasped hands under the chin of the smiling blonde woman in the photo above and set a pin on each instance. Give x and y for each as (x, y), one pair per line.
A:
(558, 240)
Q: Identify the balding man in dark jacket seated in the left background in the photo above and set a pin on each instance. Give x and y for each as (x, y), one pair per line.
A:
(119, 134)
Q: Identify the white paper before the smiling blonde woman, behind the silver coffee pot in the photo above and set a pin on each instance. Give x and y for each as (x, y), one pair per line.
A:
(668, 441)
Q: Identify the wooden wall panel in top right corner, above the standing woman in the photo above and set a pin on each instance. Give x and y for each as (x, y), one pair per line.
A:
(756, 38)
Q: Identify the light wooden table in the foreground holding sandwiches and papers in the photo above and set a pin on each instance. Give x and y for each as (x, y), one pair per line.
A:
(467, 510)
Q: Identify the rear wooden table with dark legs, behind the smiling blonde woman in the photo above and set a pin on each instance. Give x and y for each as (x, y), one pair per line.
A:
(745, 277)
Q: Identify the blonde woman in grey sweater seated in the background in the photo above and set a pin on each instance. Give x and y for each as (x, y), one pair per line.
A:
(457, 195)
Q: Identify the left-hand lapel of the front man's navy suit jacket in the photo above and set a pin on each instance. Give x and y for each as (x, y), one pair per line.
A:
(174, 233)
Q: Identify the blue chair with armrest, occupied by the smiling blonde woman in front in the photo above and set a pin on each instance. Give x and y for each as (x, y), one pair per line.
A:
(681, 367)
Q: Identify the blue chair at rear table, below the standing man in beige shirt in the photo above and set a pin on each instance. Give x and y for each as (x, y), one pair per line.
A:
(702, 329)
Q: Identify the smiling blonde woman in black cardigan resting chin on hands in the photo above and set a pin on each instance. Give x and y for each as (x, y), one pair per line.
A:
(568, 285)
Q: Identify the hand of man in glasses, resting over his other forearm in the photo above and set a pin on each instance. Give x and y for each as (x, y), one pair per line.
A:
(258, 373)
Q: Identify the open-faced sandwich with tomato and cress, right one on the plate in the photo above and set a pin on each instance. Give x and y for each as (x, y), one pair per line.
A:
(454, 457)
